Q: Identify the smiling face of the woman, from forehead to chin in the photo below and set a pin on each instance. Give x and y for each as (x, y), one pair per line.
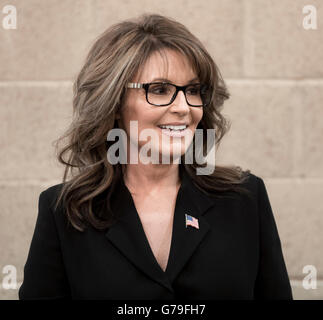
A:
(159, 106)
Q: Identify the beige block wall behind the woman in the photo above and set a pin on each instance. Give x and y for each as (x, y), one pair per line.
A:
(272, 65)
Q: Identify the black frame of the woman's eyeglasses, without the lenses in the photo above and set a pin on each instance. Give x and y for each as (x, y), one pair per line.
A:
(136, 85)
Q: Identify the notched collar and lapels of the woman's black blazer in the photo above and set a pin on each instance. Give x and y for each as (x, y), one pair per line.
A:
(128, 235)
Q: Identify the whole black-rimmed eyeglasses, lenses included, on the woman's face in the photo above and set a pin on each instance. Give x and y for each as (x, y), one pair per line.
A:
(164, 93)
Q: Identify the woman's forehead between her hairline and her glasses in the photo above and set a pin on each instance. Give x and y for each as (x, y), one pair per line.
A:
(167, 64)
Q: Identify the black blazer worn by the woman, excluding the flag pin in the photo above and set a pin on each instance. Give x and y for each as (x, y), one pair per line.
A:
(235, 254)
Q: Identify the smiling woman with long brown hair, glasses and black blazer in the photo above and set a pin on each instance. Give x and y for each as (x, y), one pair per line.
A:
(152, 230)
